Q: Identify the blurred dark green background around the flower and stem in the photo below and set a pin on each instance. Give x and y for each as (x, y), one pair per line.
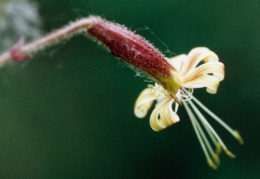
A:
(68, 113)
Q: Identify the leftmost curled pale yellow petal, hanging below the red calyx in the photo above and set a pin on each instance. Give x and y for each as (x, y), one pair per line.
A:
(144, 102)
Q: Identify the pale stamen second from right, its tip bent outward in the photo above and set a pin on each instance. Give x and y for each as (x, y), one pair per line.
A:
(203, 120)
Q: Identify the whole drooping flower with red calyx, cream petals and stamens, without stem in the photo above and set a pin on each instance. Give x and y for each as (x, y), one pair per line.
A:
(175, 79)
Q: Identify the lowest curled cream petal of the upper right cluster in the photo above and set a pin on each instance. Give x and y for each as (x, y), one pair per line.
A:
(208, 81)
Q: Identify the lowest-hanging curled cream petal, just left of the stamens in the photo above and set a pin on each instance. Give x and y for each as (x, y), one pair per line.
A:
(163, 116)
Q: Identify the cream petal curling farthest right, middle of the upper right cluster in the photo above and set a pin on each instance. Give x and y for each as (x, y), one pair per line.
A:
(214, 68)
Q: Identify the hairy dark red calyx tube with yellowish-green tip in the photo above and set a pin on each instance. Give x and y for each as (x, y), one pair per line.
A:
(133, 49)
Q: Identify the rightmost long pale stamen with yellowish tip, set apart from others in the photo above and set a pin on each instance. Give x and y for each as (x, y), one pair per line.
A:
(235, 133)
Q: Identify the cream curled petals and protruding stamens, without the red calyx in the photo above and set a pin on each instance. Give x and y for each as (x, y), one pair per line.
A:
(191, 73)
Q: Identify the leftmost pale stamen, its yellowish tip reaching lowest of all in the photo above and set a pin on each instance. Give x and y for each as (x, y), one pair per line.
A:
(193, 119)
